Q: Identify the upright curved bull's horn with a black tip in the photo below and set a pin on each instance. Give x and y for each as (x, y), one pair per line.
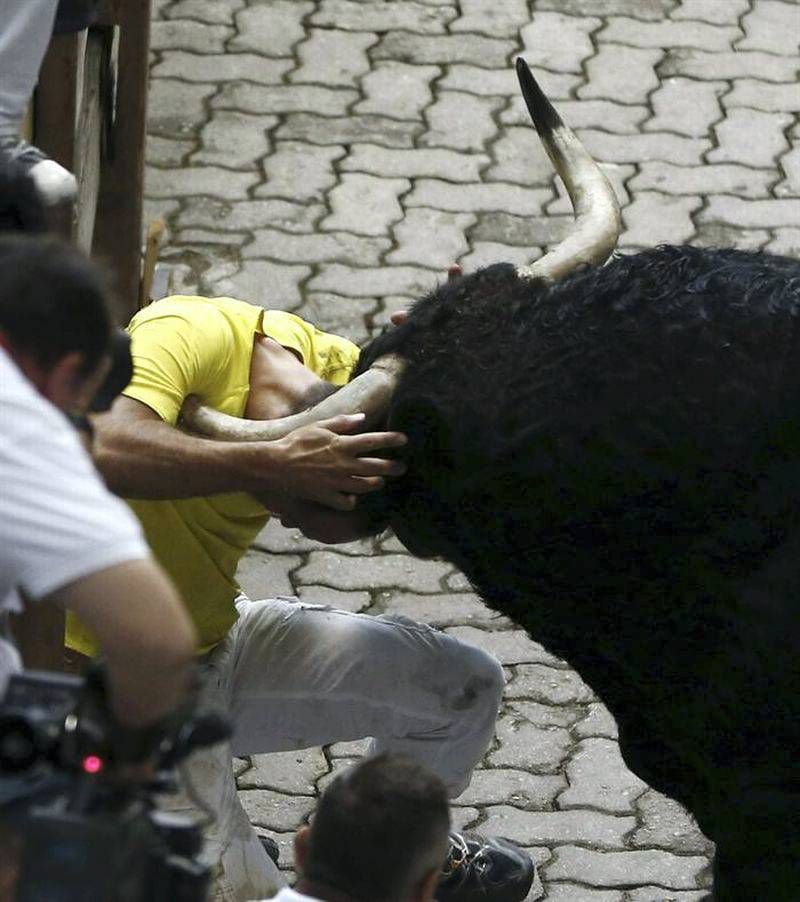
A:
(597, 220)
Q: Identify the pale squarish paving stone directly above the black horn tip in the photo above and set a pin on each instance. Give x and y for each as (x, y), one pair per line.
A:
(558, 42)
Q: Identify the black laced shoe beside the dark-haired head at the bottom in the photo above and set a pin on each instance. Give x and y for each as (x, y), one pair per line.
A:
(480, 869)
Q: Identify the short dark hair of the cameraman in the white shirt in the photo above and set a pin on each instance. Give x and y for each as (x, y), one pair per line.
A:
(53, 300)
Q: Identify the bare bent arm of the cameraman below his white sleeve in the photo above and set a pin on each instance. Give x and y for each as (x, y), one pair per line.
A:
(144, 632)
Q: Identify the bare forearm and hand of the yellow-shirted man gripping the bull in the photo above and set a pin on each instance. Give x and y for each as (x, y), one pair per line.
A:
(141, 456)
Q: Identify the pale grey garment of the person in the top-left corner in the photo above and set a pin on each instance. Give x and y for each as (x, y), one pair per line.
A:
(25, 29)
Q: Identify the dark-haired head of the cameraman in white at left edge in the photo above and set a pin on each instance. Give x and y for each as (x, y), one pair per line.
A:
(55, 318)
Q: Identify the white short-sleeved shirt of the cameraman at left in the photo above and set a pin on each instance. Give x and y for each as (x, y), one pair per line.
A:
(58, 522)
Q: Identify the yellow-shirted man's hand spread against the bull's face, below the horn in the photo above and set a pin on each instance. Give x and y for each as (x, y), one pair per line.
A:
(325, 464)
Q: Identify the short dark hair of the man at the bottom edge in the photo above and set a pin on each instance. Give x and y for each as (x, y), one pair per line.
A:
(379, 830)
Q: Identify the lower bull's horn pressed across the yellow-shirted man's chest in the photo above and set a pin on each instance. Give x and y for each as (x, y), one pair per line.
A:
(368, 393)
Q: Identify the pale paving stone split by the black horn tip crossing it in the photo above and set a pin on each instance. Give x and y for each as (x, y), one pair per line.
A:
(503, 82)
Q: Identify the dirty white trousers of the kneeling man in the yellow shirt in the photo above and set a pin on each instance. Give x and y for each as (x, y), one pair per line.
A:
(293, 675)
